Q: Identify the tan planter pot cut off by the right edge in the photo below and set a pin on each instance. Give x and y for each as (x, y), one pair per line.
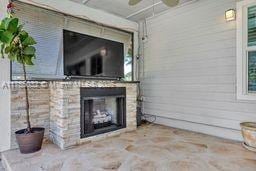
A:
(249, 133)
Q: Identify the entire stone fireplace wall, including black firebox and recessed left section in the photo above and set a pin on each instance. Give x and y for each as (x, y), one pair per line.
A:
(76, 112)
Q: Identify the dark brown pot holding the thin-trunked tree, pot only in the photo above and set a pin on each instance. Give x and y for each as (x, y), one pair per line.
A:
(32, 142)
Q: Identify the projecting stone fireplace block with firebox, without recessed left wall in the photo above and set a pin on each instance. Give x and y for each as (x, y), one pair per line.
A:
(106, 108)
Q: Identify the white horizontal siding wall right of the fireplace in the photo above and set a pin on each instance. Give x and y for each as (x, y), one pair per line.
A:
(190, 70)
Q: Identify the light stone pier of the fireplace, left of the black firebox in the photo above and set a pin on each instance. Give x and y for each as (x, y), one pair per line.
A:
(64, 114)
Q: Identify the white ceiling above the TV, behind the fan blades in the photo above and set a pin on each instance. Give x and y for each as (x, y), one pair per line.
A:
(121, 7)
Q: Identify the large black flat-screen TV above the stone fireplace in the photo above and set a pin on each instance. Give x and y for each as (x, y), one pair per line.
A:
(88, 56)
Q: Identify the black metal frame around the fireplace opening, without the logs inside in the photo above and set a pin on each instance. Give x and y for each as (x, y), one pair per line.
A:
(87, 93)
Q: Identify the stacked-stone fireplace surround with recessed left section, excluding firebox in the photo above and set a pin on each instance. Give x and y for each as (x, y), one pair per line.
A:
(57, 108)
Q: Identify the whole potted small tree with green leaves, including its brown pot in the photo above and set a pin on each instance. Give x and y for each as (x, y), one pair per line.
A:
(17, 45)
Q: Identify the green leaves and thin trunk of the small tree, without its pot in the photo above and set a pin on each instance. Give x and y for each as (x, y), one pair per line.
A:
(17, 45)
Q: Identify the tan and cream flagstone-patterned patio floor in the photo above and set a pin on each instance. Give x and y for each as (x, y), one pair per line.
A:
(151, 147)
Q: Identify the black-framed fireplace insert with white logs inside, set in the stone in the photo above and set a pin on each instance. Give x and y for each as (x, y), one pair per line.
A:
(102, 110)
